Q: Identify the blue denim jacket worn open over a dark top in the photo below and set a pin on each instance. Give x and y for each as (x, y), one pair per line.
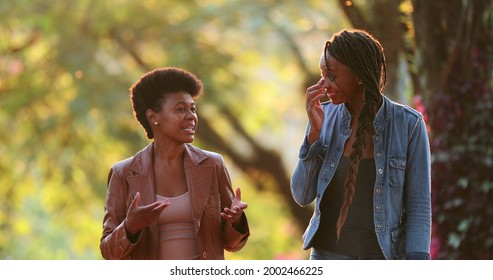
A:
(402, 191)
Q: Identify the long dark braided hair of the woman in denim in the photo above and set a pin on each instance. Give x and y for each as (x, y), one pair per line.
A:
(364, 56)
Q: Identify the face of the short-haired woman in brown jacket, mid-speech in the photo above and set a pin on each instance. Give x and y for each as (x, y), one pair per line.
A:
(177, 120)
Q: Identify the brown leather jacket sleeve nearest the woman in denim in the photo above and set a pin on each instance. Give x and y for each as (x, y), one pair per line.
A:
(233, 238)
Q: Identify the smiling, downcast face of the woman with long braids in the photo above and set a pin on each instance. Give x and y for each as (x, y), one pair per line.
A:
(341, 83)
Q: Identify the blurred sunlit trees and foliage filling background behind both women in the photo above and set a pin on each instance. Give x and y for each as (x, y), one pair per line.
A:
(66, 66)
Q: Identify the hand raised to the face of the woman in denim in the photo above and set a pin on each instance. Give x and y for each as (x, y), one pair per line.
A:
(314, 110)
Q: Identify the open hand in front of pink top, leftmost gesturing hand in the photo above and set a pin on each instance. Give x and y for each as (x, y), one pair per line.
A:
(138, 217)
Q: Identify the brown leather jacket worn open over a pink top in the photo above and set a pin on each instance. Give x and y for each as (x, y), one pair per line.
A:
(210, 191)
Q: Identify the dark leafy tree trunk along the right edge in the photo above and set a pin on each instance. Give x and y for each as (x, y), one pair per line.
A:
(454, 40)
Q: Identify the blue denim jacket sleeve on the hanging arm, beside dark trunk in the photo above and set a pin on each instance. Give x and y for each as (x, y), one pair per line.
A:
(418, 193)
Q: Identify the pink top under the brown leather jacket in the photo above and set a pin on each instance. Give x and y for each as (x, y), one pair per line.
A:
(177, 238)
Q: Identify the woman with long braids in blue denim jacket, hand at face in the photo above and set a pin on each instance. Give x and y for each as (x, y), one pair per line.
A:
(365, 160)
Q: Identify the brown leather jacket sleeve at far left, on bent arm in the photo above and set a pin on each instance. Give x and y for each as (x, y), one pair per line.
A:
(114, 243)
